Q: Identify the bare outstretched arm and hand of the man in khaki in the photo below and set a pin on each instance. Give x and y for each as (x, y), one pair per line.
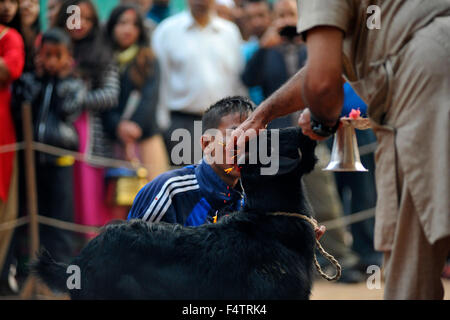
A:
(317, 86)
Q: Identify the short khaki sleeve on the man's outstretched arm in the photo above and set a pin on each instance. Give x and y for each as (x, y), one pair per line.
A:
(314, 13)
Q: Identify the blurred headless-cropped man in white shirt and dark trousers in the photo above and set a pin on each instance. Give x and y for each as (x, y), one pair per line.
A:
(201, 62)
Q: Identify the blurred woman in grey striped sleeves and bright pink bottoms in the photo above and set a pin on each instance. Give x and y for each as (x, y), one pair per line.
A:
(95, 66)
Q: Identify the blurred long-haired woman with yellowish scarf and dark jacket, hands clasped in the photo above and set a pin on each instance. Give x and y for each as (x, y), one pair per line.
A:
(133, 124)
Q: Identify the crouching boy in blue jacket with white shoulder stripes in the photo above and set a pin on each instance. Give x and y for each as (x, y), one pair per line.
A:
(197, 194)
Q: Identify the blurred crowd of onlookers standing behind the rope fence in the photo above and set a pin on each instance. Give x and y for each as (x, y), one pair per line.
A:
(118, 88)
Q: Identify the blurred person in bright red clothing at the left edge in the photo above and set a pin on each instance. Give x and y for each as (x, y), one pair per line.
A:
(12, 60)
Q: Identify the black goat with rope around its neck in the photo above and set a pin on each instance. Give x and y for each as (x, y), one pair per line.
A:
(251, 254)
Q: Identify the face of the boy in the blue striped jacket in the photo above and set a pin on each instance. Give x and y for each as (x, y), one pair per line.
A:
(212, 143)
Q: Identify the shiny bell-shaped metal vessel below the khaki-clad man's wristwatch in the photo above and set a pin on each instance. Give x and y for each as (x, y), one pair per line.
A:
(345, 153)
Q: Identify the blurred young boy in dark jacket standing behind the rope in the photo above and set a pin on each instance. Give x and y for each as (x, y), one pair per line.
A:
(56, 98)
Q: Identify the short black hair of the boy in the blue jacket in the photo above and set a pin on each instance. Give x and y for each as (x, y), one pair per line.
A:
(213, 116)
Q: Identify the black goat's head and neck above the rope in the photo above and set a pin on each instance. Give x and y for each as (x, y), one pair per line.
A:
(272, 168)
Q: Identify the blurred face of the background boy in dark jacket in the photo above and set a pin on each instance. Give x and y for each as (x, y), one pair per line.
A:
(54, 58)
